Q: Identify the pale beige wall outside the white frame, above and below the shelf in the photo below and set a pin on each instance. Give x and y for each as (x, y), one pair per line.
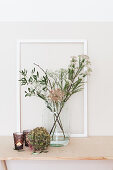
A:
(100, 83)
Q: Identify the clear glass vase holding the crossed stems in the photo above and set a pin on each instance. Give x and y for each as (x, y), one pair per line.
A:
(58, 126)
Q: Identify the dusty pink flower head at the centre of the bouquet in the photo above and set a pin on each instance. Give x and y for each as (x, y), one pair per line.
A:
(56, 95)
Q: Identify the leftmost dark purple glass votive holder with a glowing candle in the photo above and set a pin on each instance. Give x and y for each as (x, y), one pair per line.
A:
(18, 140)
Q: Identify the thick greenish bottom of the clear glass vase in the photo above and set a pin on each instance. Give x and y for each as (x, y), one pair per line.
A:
(59, 141)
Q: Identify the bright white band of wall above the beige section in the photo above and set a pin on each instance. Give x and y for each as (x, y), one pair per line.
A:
(56, 10)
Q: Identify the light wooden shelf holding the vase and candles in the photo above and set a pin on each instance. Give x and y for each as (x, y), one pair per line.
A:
(91, 148)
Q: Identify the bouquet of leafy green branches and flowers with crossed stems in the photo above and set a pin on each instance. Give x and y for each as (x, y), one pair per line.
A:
(56, 87)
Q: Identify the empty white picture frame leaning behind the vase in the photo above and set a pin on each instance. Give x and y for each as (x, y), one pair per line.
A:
(19, 42)
